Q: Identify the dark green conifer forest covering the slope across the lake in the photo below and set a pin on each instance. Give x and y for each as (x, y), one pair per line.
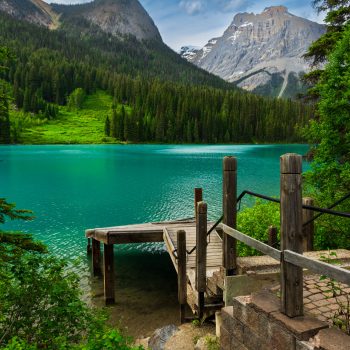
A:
(170, 103)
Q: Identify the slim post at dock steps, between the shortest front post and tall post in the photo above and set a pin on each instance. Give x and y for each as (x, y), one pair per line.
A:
(201, 255)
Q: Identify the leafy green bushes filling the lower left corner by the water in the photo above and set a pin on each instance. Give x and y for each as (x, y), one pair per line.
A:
(40, 298)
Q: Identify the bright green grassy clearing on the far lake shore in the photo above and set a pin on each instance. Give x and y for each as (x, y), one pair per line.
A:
(85, 126)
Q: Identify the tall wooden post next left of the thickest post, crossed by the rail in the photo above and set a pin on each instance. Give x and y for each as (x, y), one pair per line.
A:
(230, 214)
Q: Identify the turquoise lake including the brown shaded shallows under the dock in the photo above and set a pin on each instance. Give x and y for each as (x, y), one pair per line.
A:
(72, 188)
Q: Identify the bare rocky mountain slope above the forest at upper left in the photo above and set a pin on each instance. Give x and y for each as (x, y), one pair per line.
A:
(117, 17)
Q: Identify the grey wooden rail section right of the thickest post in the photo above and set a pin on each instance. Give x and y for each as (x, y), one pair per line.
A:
(320, 267)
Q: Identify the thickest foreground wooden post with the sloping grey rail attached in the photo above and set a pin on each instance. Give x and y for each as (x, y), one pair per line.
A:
(293, 244)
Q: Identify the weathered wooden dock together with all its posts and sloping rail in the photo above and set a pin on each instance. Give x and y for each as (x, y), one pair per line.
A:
(204, 254)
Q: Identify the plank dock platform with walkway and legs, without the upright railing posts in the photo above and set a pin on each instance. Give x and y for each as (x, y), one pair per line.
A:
(165, 232)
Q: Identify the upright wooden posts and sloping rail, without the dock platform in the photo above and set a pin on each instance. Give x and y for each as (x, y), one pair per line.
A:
(296, 237)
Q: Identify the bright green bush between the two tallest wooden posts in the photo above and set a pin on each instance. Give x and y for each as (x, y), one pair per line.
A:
(255, 221)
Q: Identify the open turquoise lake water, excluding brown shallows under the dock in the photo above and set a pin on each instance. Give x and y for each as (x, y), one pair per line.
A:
(71, 188)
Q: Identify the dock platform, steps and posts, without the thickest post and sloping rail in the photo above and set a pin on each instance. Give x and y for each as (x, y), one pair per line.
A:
(200, 257)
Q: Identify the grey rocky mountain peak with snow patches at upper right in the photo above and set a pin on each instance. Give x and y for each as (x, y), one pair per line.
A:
(261, 53)
